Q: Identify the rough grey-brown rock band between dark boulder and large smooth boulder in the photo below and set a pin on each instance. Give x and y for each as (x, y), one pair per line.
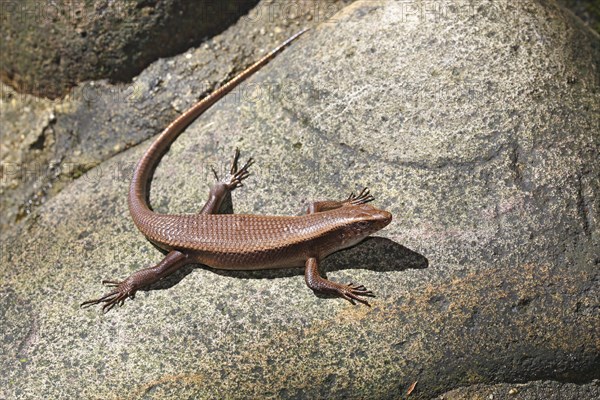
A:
(47, 144)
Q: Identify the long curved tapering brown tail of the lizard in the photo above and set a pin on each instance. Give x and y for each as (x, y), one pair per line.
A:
(138, 190)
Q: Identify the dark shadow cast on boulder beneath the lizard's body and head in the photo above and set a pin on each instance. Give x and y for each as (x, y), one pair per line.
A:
(374, 253)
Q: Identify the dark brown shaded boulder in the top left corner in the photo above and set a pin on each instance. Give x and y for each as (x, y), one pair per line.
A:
(48, 47)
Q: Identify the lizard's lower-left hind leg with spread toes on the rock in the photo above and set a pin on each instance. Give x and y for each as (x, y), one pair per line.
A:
(139, 279)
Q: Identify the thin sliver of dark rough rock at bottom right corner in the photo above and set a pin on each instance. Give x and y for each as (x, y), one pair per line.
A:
(546, 390)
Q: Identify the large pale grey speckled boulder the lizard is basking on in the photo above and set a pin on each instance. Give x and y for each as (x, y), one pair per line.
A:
(478, 130)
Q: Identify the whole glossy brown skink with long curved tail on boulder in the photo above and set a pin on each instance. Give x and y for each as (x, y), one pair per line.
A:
(236, 241)
